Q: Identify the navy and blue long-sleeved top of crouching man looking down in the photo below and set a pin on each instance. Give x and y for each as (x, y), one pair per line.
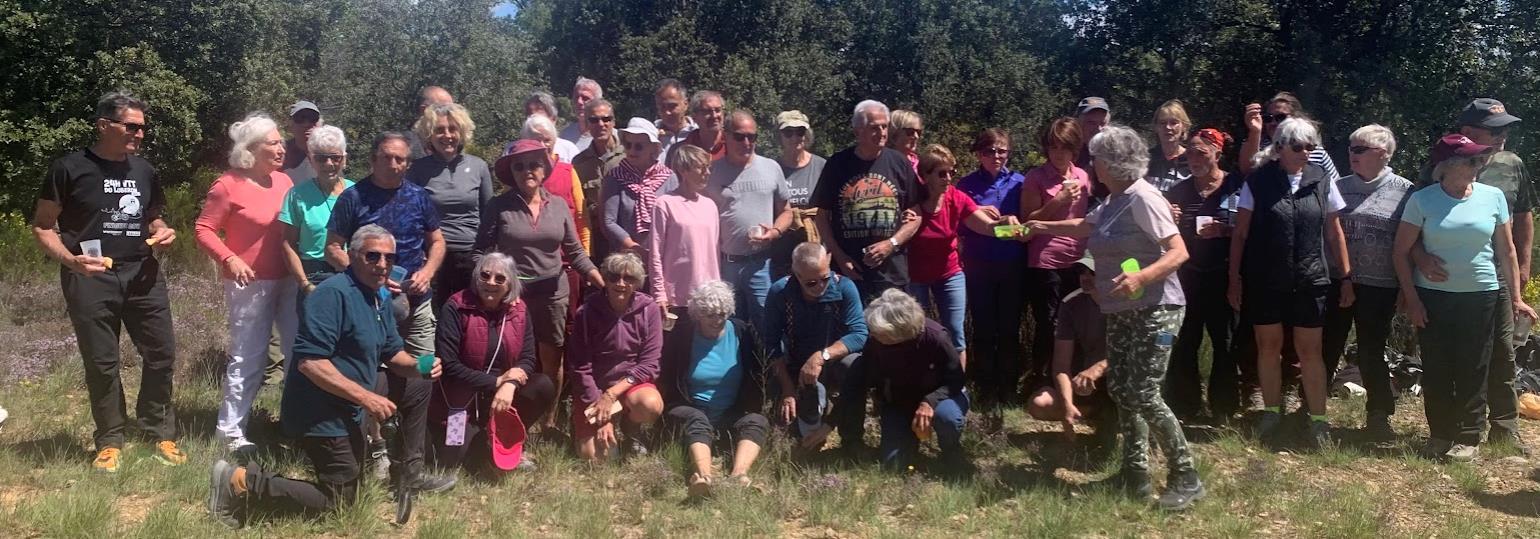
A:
(795, 327)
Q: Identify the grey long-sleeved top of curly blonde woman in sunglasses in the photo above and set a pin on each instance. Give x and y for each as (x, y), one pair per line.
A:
(460, 190)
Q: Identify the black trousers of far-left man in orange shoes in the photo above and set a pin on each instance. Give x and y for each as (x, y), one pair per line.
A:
(133, 296)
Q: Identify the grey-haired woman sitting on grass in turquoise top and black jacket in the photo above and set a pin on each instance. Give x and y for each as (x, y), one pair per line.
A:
(714, 386)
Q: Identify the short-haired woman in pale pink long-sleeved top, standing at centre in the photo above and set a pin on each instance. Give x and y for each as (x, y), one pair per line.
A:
(686, 229)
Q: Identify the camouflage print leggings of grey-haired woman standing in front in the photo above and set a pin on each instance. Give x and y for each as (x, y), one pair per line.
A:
(1139, 347)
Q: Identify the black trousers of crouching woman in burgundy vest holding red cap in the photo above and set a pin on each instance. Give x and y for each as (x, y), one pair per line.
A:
(532, 401)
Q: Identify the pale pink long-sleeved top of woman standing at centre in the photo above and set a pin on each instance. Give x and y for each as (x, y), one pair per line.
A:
(685, 247)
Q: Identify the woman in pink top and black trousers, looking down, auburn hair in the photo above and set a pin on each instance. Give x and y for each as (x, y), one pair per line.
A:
(1054, 192)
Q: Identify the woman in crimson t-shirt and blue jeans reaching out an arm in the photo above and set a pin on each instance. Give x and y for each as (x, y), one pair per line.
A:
(934, 266)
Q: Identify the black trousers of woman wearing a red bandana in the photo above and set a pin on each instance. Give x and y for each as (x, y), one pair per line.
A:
(1208, 312)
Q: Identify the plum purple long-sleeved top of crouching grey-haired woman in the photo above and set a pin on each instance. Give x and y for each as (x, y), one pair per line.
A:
(606, 347)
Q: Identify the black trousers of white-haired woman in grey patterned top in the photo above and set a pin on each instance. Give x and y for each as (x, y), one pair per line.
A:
(1371, 313)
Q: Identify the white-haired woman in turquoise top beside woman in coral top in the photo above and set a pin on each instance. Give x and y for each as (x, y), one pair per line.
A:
(307, 209)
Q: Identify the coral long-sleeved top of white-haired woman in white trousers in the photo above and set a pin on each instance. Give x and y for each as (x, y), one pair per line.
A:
(249, 216)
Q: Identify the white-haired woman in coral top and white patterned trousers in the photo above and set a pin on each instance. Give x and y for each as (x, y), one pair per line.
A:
(244, 206)
